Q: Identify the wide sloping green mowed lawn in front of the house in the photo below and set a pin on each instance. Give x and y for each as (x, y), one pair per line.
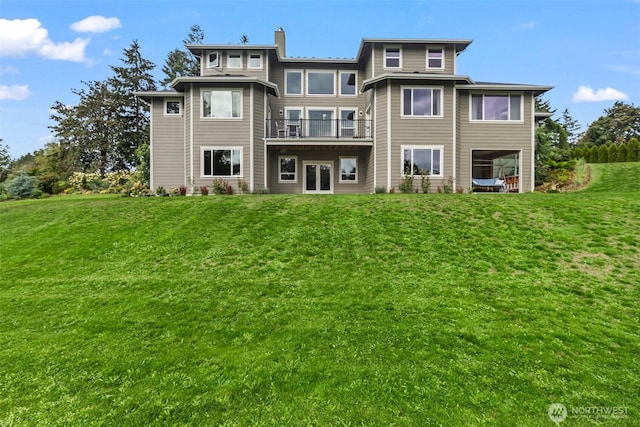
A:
(322, 310)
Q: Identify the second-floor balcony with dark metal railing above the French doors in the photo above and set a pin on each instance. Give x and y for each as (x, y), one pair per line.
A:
(318, 129)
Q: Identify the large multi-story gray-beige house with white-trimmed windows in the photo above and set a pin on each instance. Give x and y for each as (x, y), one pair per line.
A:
(329, 125)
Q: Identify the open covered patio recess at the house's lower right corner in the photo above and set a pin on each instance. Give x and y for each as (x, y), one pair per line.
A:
(495, 170)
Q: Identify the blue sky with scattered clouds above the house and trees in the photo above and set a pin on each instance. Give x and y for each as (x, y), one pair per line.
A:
(588, 50)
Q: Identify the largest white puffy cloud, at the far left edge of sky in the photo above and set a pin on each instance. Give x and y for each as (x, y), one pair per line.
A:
(22, 37)
